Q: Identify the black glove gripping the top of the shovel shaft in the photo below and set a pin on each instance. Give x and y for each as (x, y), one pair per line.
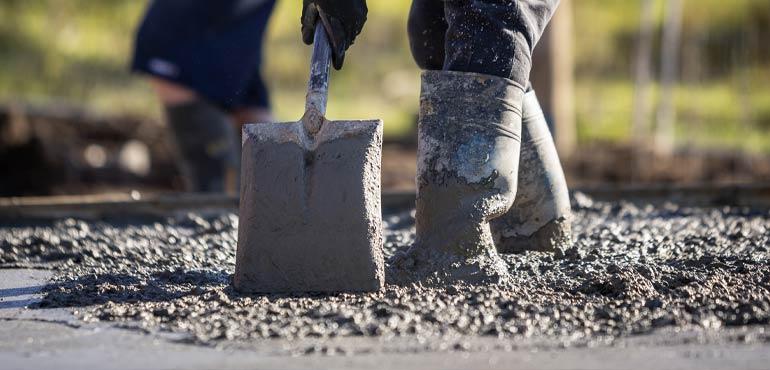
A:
(344, 20)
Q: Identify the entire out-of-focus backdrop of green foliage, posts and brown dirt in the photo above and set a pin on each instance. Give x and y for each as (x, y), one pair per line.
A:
(638, 92)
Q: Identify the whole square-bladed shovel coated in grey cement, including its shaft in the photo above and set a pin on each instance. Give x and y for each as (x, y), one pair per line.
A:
(310, 212)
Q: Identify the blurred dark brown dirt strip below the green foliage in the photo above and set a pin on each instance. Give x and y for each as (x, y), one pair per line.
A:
(60, 150)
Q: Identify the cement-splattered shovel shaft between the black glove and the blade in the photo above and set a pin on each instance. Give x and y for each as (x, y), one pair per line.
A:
(318, 85)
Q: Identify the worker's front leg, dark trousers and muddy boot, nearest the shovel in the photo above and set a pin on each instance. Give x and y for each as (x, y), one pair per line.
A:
(469, 135)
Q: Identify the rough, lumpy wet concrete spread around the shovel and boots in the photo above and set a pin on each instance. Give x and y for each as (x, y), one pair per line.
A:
(633, 269)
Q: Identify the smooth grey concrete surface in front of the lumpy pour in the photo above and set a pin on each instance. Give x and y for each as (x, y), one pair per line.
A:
(53, 339)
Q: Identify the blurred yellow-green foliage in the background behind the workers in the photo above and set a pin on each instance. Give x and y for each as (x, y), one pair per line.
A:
(77, 51)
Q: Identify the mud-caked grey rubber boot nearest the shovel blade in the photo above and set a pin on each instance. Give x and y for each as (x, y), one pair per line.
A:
(469, 137)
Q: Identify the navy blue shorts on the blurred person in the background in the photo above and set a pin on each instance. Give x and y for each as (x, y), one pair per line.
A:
(211, 47)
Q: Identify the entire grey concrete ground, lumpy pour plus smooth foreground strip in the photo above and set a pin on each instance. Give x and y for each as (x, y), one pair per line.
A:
(689, 285)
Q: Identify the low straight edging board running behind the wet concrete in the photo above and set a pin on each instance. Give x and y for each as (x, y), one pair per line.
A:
(136, 204)
